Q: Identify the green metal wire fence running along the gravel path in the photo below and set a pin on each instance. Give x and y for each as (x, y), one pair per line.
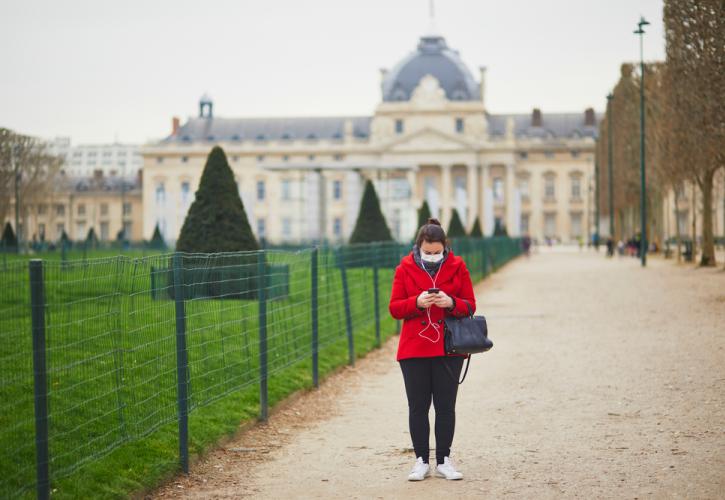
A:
(99, 353)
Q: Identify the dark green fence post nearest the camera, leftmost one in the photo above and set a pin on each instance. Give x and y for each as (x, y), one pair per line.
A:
(40, 378)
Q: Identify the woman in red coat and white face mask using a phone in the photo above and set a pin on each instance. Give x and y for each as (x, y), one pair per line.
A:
(427, 371)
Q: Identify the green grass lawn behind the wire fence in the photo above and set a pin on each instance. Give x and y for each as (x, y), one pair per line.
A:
(111, 358)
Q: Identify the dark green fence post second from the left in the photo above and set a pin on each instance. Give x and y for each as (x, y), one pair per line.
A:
(181, 362)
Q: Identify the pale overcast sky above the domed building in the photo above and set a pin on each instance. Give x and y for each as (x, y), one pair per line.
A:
(100, 70)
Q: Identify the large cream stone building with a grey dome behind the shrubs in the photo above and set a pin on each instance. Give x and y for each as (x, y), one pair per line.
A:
(430, 138)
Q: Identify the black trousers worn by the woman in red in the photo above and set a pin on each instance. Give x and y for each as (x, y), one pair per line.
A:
(427, 378)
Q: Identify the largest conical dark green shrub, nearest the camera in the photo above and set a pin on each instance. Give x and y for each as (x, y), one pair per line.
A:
(216, 221)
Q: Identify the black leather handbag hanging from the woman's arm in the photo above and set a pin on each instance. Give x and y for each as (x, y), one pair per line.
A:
(467, 335)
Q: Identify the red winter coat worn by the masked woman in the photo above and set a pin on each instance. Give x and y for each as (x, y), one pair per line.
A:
(422, 332)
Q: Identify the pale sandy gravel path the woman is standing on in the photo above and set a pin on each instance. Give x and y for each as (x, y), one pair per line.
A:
(606, 381)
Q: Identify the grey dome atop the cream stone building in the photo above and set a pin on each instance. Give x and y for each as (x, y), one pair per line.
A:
(435, 58)
